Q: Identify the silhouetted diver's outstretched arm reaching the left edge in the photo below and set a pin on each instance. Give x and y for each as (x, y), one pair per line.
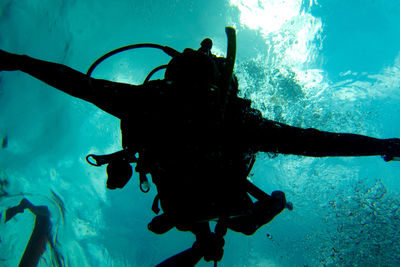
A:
(109, 96)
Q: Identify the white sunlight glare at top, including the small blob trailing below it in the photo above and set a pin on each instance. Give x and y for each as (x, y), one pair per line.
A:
(291, 36)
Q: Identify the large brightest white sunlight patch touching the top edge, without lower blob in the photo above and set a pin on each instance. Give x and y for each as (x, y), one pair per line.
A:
(289, 30)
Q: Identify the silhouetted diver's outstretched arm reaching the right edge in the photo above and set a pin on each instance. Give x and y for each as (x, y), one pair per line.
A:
(285, 139)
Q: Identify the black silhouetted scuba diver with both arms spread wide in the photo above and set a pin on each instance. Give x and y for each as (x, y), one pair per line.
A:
(198, 140)
